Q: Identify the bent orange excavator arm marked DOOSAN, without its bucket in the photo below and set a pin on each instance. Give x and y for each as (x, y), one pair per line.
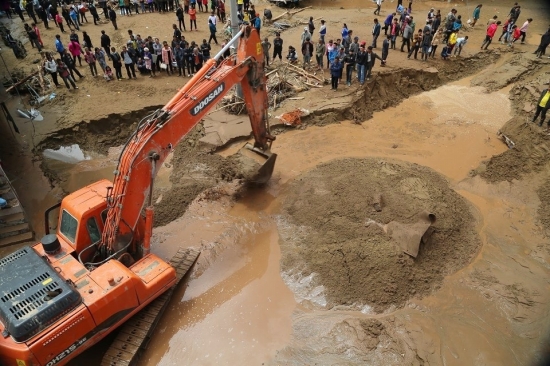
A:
(158, 134)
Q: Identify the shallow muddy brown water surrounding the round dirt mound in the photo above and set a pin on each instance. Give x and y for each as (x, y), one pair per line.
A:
(236, 308)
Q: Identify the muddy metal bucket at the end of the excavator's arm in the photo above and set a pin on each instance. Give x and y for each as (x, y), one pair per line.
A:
(257, 165)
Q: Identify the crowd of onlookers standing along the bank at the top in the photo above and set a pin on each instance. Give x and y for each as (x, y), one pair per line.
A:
(438, 34)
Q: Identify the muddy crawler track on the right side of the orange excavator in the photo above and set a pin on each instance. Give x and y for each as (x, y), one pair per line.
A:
(134, 335)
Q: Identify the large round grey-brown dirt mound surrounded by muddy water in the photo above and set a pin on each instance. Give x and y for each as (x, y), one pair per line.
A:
(361, 265)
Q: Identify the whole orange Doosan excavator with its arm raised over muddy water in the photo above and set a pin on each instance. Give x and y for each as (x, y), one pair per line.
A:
(96, 273)
